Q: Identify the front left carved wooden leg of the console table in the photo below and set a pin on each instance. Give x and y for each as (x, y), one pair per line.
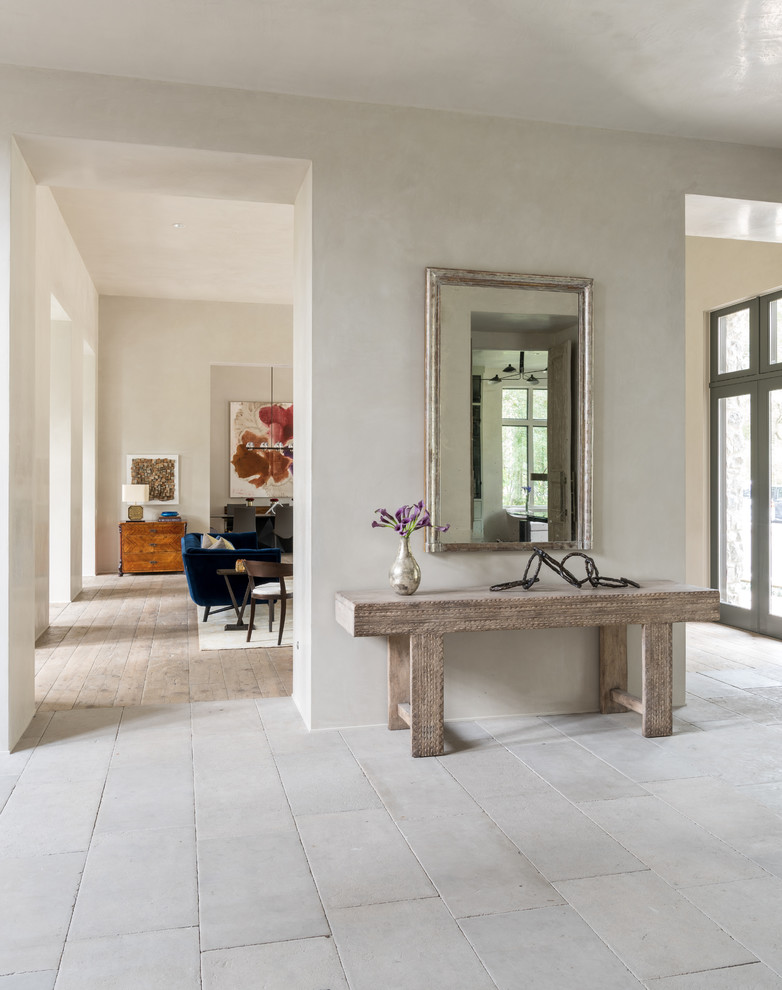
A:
(426, 694)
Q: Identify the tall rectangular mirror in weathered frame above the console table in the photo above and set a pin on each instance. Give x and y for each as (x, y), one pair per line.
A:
(509, 425)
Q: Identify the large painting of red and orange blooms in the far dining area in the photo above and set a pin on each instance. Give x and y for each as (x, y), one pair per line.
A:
(261, 472)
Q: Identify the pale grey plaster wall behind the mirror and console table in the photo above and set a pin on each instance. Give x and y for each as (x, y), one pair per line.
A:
(392, 191)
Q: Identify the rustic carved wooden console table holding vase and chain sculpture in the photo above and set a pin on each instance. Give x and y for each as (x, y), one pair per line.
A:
(415, 627)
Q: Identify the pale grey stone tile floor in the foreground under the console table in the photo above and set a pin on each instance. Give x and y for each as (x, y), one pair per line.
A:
(218, 844)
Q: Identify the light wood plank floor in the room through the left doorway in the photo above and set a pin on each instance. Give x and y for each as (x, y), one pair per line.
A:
(134, 641)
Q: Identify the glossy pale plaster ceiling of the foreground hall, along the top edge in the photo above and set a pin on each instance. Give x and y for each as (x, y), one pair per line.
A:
(698, 68)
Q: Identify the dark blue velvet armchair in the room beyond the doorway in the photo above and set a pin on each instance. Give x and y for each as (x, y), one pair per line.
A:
(207, 587)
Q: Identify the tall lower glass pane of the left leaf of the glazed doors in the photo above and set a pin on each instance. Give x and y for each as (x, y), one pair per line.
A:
(735, 551)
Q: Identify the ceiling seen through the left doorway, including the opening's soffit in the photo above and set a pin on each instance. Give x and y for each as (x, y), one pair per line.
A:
(121, 202)
